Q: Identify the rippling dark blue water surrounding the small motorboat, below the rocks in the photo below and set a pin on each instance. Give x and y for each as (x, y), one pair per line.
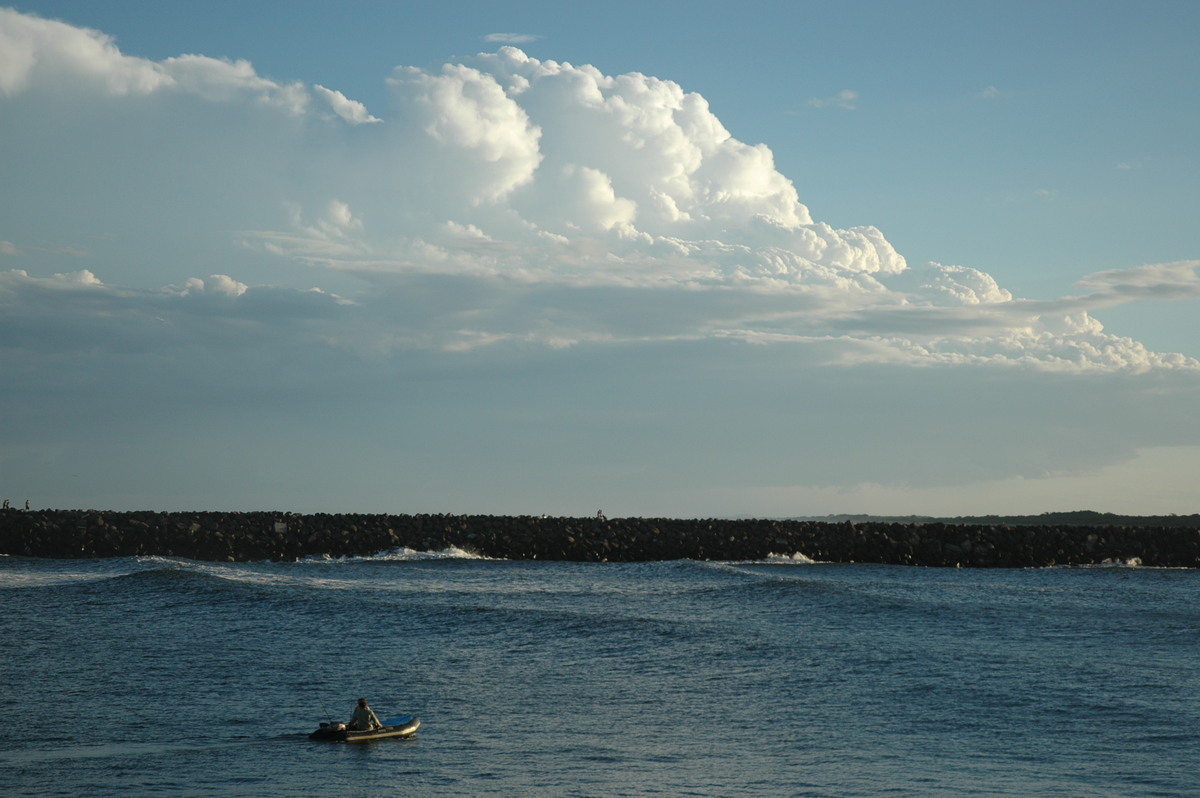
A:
(167, 677)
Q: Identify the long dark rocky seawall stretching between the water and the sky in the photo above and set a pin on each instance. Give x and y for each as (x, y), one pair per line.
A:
(231, 537)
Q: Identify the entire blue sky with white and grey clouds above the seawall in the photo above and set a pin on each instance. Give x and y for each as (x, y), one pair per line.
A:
(680, 260)
